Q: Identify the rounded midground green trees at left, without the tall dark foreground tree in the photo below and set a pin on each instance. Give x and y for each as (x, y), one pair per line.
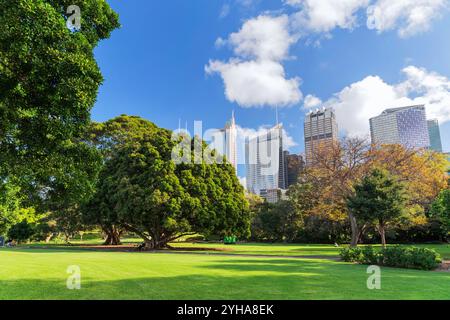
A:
(138, 189)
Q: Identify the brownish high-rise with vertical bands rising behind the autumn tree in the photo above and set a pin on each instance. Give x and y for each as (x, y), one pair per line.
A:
(321, 132)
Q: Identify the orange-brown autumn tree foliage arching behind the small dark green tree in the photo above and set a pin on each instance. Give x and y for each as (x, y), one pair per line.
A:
(335, 168)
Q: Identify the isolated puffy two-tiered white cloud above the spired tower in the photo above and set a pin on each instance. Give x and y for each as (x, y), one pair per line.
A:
(256, 76)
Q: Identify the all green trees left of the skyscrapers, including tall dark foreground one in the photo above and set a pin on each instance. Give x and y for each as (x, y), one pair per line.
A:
(60, 173)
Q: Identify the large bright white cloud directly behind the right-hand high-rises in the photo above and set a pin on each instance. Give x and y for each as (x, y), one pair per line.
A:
(362, 100)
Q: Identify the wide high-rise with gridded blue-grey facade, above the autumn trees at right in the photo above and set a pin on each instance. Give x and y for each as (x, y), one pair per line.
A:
(406, 126)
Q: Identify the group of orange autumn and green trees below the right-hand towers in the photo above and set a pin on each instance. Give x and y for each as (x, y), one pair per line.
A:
(358, 192)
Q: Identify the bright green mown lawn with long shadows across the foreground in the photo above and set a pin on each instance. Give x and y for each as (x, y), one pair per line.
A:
(41, 274)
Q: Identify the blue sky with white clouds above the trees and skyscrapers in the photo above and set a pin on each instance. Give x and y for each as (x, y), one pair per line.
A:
(154, 66)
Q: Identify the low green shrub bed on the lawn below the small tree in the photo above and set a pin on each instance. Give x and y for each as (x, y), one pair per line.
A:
(396, 256)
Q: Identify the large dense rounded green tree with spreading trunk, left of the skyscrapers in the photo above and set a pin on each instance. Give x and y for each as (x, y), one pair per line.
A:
(143, 190)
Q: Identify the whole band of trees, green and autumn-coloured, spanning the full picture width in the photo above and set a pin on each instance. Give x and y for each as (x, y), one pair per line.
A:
(61, 174)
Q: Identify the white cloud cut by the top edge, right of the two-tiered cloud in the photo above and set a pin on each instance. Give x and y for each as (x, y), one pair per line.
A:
(322, 16)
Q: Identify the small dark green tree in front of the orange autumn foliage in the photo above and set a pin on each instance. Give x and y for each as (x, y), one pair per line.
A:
(379, 199)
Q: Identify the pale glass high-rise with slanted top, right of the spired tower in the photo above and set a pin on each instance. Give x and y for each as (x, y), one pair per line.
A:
(265, 161)
